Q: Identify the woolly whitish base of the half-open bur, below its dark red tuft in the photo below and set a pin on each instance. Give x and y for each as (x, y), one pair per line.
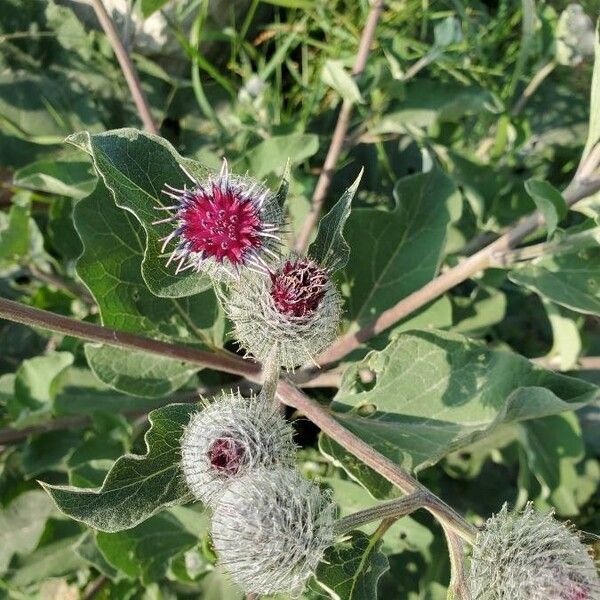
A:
(259, 327)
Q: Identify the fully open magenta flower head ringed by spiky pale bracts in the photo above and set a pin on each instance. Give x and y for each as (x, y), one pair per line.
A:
(222, 225)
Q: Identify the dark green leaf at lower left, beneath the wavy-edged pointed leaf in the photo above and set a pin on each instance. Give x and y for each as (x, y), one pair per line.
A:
(146, 550)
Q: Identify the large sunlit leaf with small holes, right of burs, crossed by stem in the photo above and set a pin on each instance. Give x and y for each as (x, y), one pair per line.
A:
(435, 392)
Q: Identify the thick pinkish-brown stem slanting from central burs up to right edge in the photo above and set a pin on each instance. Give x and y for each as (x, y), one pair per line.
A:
(464, 270)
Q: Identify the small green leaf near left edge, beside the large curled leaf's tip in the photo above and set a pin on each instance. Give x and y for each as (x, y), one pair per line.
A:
(63, 178)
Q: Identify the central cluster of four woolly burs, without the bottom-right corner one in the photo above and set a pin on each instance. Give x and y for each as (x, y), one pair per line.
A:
(270, 525)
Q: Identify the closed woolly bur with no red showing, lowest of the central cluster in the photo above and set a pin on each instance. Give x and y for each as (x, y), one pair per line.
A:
(270, 530)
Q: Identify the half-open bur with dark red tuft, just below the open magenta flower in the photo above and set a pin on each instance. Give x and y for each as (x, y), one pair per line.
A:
(293, 312)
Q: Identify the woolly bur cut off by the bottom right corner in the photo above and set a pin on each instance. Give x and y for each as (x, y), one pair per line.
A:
(531, 556)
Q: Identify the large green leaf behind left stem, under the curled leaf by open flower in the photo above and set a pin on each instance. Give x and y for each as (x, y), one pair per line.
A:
(111, 267)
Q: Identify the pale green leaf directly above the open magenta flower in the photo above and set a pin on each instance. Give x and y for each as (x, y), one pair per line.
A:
(272, 155)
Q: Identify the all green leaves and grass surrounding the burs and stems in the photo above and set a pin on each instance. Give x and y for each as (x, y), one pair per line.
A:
(447, 156)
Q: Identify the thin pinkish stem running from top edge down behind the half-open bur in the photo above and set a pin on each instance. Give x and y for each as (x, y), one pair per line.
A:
(339, 133)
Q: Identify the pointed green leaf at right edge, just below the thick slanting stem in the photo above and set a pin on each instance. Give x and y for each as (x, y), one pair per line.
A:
(571, 280)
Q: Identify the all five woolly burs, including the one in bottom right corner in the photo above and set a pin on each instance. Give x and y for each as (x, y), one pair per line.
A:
(270, 525)
